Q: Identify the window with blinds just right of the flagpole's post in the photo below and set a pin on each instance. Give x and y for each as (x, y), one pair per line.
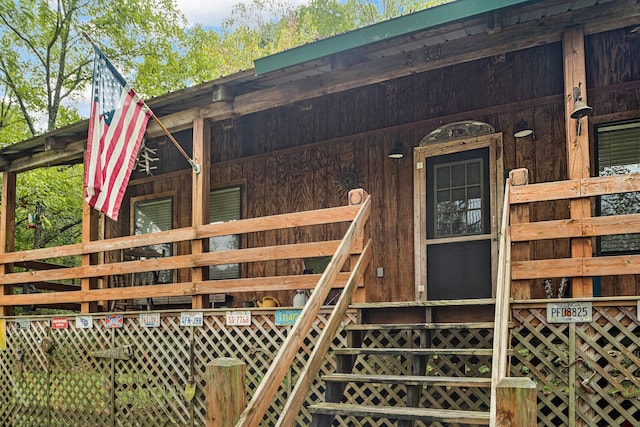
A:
(224, 206)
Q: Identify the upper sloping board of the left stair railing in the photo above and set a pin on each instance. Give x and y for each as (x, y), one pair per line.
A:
(261, 399)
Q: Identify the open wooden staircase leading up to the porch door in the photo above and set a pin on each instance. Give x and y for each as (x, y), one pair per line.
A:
(408, 362)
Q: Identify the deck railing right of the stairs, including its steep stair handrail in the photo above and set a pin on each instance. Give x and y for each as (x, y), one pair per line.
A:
(518, 233)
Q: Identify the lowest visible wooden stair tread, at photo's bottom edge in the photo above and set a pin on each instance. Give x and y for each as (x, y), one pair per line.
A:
(403, 413)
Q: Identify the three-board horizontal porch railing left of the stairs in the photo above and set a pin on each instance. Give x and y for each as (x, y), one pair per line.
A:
(100, 273)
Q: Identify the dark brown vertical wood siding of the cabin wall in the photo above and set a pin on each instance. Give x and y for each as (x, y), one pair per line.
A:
(290, 157)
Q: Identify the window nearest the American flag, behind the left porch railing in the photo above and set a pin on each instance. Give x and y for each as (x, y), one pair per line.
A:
(151, 216)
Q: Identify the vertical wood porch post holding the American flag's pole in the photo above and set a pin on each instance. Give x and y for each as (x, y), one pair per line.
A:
(200, 199)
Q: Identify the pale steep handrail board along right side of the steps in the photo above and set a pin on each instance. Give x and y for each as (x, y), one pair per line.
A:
(499, 363)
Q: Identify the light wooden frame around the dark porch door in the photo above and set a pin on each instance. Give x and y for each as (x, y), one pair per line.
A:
(494, 143)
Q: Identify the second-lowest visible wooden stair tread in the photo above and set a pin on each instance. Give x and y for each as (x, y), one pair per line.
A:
(409, 380)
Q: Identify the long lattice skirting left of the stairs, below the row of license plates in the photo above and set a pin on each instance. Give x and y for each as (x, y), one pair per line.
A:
(69, 387)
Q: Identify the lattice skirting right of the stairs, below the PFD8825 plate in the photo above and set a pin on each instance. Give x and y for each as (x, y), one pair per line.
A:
(587, 373)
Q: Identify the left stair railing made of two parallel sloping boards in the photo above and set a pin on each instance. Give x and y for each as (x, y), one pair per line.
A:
(261, 399)
